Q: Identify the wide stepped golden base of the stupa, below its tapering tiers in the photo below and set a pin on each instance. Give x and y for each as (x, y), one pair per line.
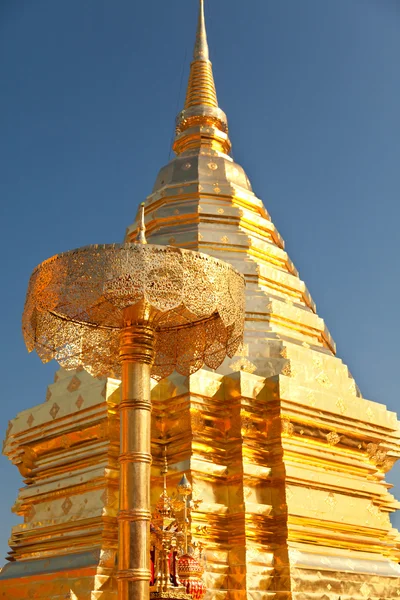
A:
(297, 505)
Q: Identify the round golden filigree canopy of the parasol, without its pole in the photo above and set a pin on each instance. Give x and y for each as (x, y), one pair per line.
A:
(76, 301)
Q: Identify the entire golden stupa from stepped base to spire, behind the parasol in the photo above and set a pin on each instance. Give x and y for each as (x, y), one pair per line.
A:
(288, 457)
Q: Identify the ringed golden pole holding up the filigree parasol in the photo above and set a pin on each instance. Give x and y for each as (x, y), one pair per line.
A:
(136, 356)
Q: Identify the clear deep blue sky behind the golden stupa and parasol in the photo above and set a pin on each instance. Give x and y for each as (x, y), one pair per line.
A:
(311, 88)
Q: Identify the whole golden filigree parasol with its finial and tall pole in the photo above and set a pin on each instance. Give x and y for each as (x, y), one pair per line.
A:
(134, 311)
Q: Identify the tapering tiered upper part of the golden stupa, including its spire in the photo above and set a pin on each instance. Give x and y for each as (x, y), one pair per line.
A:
(204, 201)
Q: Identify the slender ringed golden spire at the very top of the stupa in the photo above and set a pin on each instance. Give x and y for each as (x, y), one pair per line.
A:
(201, 123)
